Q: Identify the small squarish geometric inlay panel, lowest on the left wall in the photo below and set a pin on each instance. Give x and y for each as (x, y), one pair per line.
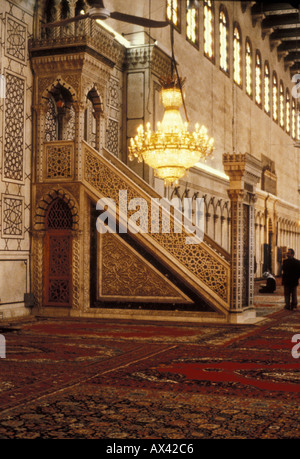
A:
(12, 216)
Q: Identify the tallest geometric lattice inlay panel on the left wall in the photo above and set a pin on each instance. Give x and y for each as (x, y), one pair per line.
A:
(14, 128)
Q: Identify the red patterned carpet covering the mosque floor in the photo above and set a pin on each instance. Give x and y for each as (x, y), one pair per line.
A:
(137, 380)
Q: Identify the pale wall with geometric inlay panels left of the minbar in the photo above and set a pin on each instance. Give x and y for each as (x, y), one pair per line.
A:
(16, 22)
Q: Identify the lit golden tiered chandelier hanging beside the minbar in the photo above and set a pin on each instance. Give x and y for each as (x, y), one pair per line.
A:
(171, 150)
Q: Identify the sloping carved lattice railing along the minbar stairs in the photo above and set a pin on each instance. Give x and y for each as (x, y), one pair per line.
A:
(204, 266)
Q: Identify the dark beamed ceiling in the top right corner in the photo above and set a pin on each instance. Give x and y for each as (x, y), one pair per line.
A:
(281, 23)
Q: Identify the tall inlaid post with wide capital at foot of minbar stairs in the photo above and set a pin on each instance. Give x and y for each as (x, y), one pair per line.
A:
(244, 173)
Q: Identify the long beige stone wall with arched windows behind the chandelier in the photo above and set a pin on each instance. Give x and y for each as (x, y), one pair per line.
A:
(235, 121)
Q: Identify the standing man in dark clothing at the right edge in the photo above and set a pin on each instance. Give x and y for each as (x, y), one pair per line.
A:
(290, 279)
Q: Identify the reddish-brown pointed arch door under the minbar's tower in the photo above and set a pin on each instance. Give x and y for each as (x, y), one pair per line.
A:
(58, 255)
